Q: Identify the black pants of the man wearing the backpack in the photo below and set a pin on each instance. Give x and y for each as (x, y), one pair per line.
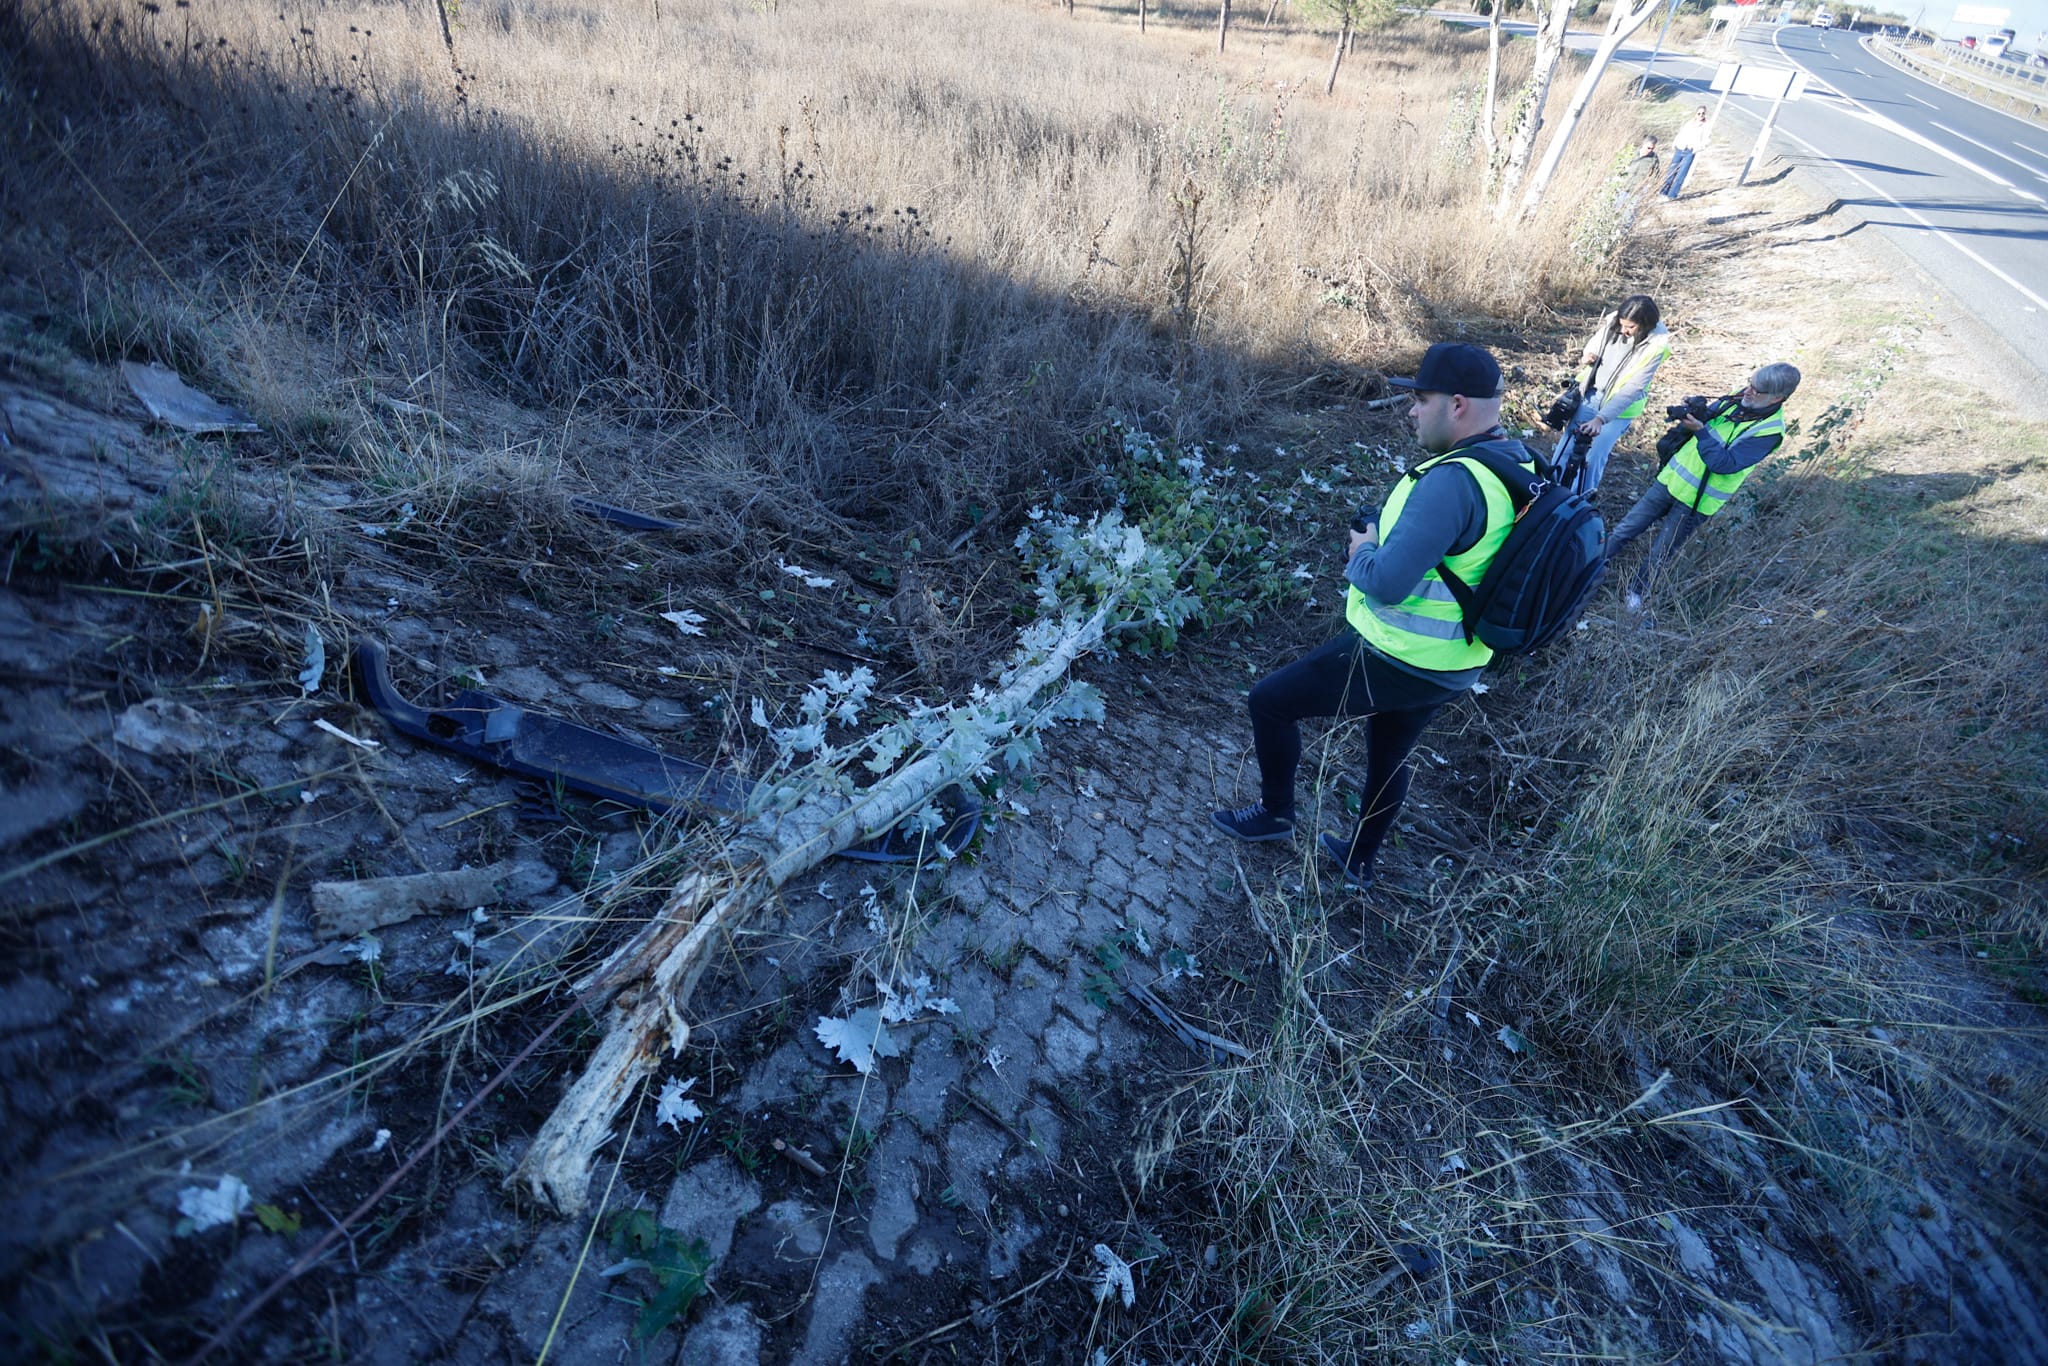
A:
(1345, 679)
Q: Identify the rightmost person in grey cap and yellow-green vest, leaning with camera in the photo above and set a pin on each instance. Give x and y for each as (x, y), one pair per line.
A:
(1703, 474)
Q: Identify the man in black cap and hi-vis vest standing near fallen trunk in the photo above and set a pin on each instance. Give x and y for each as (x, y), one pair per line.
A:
(1406, 650)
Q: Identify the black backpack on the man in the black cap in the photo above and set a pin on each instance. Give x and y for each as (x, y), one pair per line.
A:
(1545, 570)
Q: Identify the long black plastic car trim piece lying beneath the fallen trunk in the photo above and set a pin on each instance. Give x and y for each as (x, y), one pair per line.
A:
(493, 730)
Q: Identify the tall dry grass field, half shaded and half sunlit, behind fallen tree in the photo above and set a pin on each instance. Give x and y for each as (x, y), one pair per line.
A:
(902, 280)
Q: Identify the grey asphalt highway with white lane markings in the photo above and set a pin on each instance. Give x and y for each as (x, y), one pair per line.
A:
(1961, 189)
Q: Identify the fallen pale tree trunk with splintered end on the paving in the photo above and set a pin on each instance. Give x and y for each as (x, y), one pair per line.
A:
(650, 980)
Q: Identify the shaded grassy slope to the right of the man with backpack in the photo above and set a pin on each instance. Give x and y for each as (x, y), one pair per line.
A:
(1752, 947)
